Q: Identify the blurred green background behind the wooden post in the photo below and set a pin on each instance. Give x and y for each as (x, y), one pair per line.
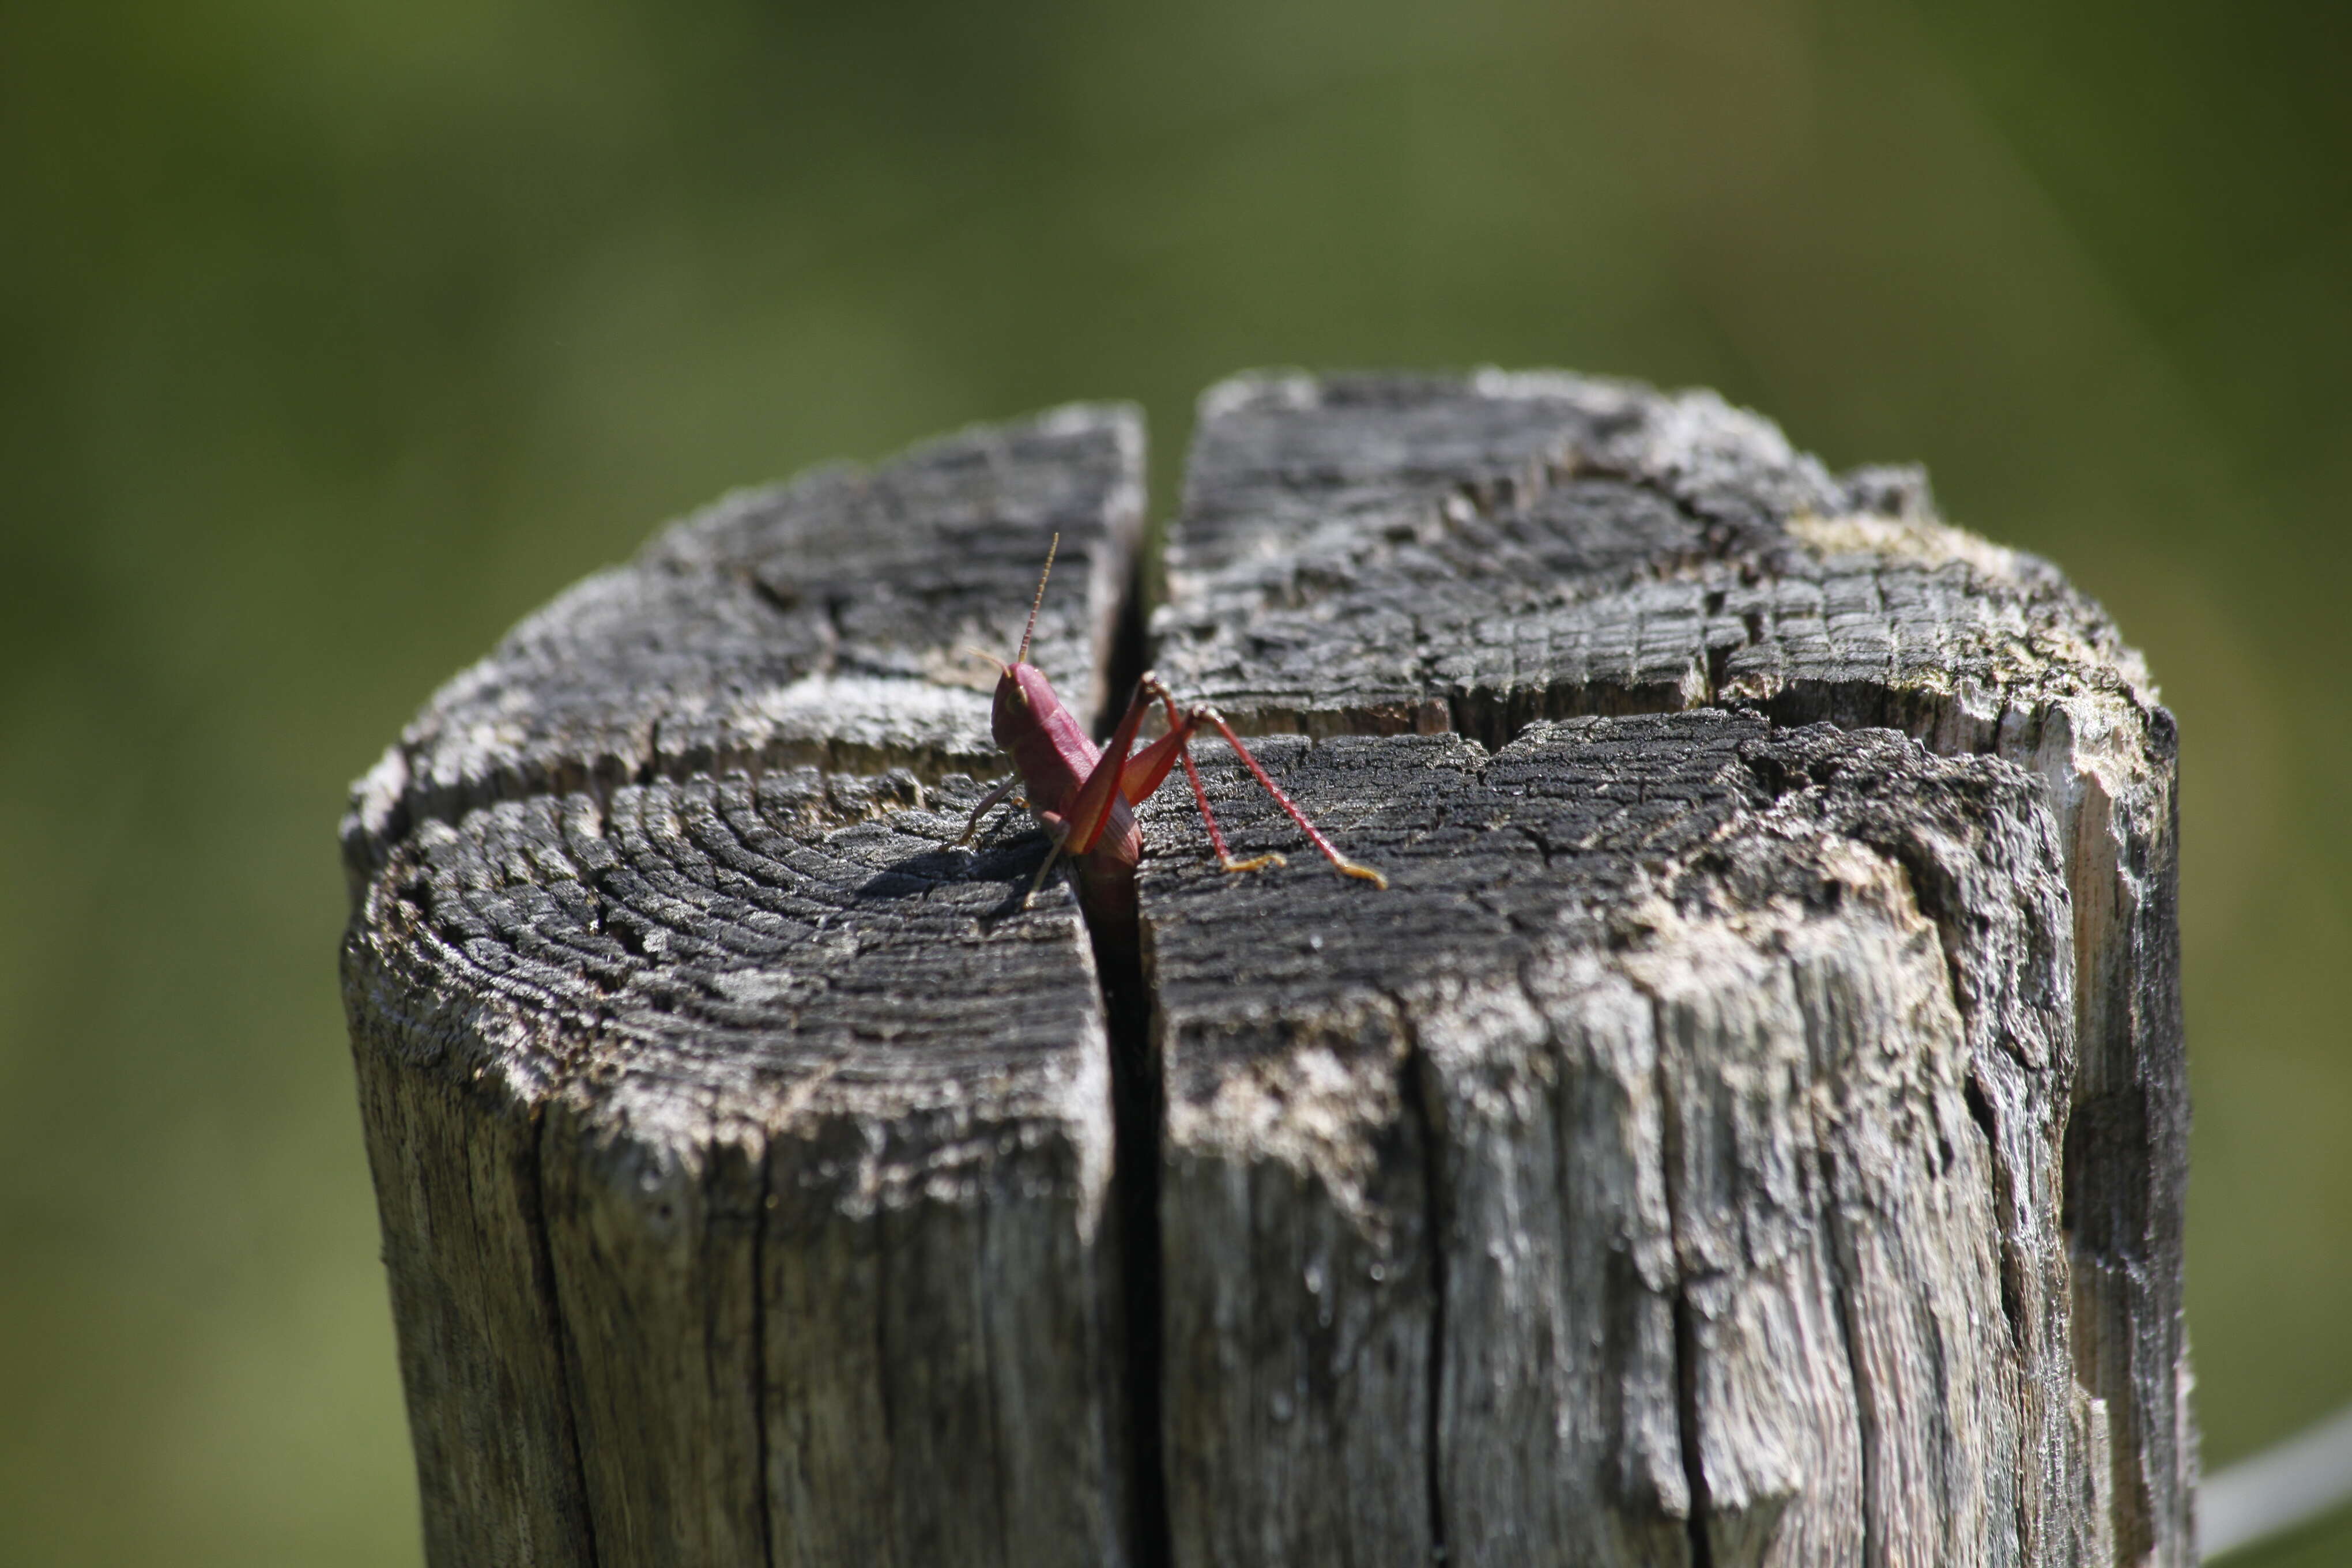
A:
(335, 335)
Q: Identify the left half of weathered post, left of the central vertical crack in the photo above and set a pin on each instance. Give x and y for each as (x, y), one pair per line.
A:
(744, 1170)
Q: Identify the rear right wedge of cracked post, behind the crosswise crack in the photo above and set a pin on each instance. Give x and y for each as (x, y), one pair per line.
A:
(1476, 554)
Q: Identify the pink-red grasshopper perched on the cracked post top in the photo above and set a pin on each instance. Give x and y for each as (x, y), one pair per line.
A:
(1088, 800)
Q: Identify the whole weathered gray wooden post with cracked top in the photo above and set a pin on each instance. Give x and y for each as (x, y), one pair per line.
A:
(1749, 1132)
